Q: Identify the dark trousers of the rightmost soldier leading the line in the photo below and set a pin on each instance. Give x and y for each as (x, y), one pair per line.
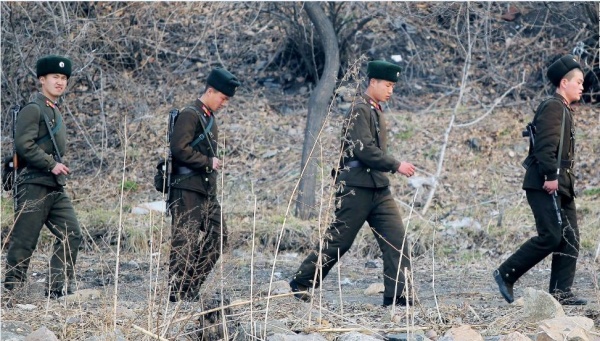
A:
(562, 241)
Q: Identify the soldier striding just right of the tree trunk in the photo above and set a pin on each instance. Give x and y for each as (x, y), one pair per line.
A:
(364, 193)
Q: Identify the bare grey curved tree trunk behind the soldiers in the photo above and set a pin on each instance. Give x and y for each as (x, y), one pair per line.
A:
(317, 107)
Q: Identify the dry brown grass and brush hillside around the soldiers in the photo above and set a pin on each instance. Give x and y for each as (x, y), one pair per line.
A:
(473, 76)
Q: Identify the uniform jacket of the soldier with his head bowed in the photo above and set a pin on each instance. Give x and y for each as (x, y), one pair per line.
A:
(198, 158)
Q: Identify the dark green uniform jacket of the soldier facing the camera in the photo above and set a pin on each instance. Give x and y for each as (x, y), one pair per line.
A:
(33, 143)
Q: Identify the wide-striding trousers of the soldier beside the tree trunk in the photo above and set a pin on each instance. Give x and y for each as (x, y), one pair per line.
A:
(355, 206)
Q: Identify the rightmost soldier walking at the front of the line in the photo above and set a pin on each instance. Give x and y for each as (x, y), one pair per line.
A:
(550, 189)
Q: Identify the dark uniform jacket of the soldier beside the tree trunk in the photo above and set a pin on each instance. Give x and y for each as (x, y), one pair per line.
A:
(364, 139)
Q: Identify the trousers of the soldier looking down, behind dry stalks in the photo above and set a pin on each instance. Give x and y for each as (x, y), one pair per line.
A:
(196, 236)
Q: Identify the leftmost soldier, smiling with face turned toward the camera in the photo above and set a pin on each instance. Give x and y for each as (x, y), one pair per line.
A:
(41, 197)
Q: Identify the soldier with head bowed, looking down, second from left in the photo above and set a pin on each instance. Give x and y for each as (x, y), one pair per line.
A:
(198, 230)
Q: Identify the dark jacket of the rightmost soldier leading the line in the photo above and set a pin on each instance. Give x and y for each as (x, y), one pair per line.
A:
(547, 122)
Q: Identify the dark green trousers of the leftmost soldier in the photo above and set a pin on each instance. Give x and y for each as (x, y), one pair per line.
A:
(39, 205)
